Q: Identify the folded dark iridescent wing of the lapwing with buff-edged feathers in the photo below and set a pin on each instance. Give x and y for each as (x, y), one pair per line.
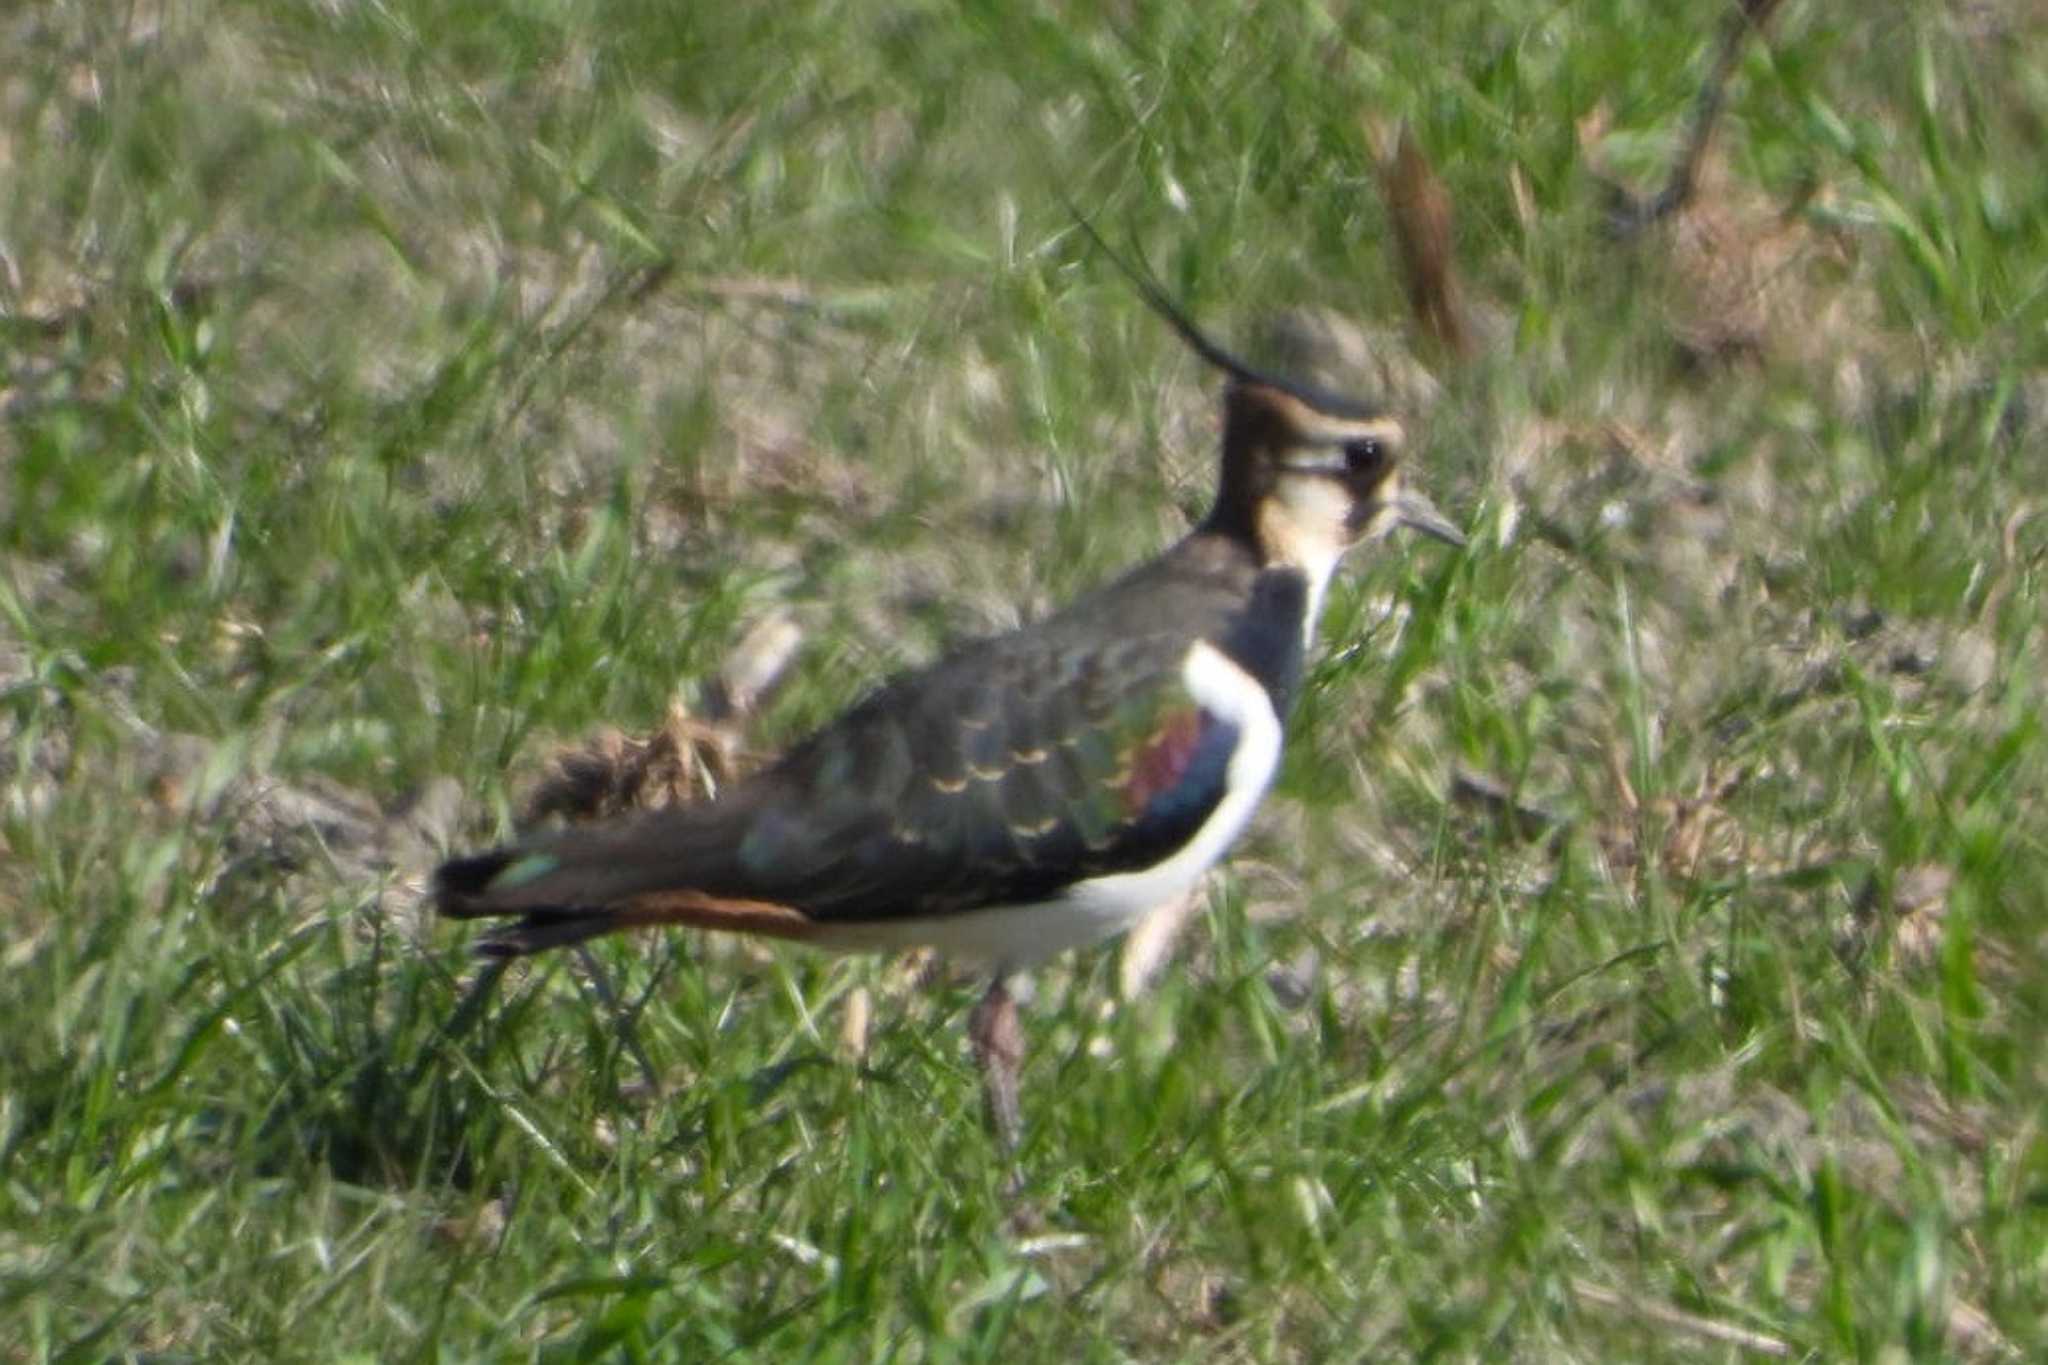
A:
(996, 779)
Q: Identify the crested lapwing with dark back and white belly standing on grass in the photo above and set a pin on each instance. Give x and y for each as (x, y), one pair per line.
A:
(1029, 793)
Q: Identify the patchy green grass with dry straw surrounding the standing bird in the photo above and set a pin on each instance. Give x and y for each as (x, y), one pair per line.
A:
(394, 392)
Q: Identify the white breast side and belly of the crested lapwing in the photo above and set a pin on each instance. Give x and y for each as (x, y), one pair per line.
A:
(1019, 936)
